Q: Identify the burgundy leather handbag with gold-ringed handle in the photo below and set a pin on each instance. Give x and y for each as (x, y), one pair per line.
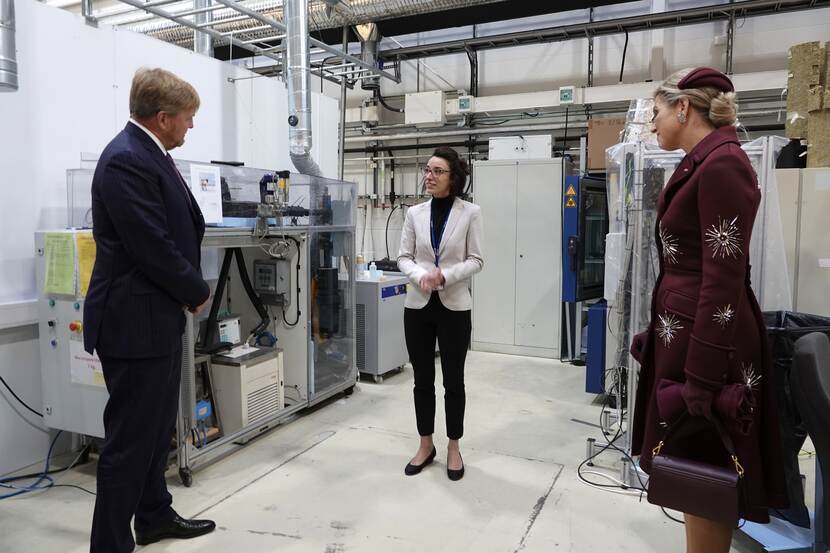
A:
(697, 488)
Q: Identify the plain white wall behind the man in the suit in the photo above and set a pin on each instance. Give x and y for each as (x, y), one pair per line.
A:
(73, 98)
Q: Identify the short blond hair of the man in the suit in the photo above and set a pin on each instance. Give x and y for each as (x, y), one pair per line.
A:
(155, 90)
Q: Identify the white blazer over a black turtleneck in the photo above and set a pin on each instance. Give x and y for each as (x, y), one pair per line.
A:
(459, 253)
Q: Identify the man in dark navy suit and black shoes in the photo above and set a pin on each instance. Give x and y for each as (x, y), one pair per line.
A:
(148, 230)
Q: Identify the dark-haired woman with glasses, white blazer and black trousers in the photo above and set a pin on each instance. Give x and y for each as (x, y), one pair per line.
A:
(440, 252)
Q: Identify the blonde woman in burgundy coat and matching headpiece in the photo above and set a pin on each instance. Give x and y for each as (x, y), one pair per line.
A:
(707, 333)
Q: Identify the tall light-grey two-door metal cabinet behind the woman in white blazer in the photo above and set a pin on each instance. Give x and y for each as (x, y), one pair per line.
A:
(517, 297)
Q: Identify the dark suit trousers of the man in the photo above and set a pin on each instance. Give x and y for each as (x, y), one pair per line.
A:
(139, 420)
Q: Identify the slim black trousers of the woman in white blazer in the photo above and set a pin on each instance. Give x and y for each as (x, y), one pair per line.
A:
(452, 329)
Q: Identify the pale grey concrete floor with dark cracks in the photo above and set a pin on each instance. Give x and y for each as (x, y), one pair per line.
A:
(332, 481)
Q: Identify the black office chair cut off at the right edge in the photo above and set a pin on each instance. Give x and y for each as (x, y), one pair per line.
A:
(810, 382)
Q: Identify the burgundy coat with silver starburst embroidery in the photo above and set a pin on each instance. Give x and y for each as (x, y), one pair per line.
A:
(706, 324)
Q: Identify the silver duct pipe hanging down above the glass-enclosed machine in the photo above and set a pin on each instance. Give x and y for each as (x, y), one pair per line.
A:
(299, 94)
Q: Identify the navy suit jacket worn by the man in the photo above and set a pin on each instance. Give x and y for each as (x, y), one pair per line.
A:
(148, 231)
